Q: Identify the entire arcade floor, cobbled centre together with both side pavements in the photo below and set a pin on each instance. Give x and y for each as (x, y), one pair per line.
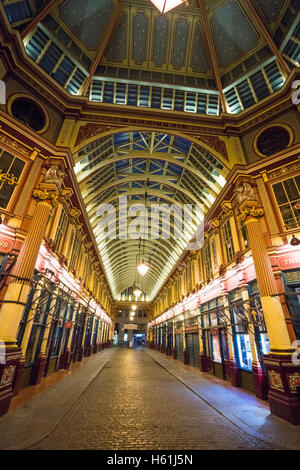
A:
(135, 399)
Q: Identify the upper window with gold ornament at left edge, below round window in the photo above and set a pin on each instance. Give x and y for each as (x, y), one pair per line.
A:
(10, 172)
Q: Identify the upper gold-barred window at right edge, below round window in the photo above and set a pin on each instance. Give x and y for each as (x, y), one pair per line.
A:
(287, 194)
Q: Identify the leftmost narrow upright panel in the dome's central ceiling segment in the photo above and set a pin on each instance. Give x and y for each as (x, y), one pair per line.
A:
(140, 27)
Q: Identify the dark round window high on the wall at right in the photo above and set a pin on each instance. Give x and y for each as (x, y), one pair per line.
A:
(273, 140)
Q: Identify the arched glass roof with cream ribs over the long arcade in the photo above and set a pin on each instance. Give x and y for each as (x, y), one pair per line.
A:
(147, 168)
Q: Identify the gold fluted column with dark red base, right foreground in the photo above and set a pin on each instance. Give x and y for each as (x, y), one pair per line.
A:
(282, 370)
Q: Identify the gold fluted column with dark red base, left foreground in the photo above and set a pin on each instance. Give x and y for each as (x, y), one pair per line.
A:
(16, 296)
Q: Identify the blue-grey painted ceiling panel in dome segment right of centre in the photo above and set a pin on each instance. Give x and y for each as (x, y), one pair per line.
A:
(234, 35)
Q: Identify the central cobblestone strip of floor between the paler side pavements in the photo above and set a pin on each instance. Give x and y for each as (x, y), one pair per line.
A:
(136, 404)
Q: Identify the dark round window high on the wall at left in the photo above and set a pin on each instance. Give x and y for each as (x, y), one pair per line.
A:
(29, 112)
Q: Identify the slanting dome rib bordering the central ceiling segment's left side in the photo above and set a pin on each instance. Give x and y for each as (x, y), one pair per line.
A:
(105, 38)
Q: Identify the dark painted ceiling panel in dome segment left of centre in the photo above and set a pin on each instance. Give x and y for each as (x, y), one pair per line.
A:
(86, 19)
